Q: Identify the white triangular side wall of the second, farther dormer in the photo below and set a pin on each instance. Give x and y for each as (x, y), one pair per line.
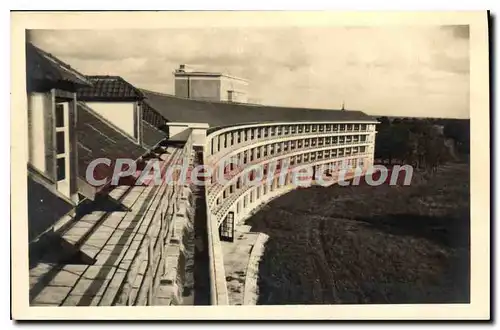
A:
(120, 114)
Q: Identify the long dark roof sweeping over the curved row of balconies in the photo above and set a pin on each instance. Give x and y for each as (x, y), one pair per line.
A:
(221, 114)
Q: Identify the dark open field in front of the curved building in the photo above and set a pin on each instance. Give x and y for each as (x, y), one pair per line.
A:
(364, 244)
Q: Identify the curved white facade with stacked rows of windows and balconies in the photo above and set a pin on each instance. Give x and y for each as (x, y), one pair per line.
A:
(252, 163)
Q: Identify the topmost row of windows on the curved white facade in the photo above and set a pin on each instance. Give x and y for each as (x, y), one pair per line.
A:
(229, 139)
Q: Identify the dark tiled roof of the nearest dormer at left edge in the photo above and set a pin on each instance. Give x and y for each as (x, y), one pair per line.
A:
(42, 66)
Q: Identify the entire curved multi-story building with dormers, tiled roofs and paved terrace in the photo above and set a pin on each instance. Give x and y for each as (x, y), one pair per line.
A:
(250, 147)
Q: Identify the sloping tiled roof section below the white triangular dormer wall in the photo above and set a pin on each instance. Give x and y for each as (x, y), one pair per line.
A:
(97, 138)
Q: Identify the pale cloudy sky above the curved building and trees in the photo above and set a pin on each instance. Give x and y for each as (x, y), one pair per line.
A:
(395, 70)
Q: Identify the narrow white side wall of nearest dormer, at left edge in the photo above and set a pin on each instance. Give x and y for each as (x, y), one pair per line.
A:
(36, 139)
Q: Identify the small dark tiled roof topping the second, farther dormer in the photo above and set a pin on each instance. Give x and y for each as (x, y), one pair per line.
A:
(109, 88)
